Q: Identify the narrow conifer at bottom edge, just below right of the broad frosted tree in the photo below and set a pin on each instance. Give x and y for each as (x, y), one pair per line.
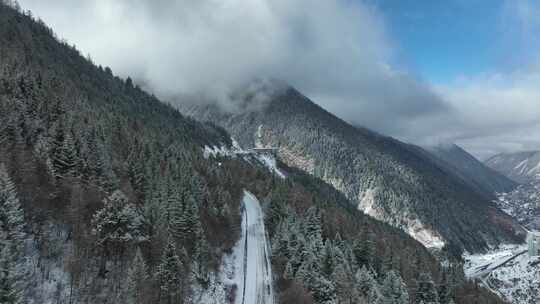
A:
(137, 279)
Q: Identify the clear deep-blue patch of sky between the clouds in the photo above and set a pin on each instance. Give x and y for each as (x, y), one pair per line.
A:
(443, 40)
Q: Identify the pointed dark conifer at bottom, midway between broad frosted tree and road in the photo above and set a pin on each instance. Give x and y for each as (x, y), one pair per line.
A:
(169, 275)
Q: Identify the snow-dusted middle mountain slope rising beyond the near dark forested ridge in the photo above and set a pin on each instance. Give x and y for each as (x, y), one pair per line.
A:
(385, 178)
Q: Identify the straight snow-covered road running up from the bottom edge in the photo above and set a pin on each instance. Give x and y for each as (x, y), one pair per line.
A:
(255, 286)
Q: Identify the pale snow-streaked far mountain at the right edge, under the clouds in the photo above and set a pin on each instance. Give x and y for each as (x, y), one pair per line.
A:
(521, 166)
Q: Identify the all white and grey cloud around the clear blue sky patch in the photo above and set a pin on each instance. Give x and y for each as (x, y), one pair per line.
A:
(336, 52)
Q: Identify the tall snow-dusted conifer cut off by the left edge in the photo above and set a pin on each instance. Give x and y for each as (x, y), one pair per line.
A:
(12, 238)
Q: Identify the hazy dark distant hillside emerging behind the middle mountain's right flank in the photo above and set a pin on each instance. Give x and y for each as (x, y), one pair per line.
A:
(477, 175)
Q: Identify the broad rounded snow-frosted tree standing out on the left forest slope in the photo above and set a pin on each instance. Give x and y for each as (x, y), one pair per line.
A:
(118, 223)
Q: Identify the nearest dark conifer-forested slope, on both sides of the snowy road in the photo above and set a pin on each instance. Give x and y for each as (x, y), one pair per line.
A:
(107, 196)
